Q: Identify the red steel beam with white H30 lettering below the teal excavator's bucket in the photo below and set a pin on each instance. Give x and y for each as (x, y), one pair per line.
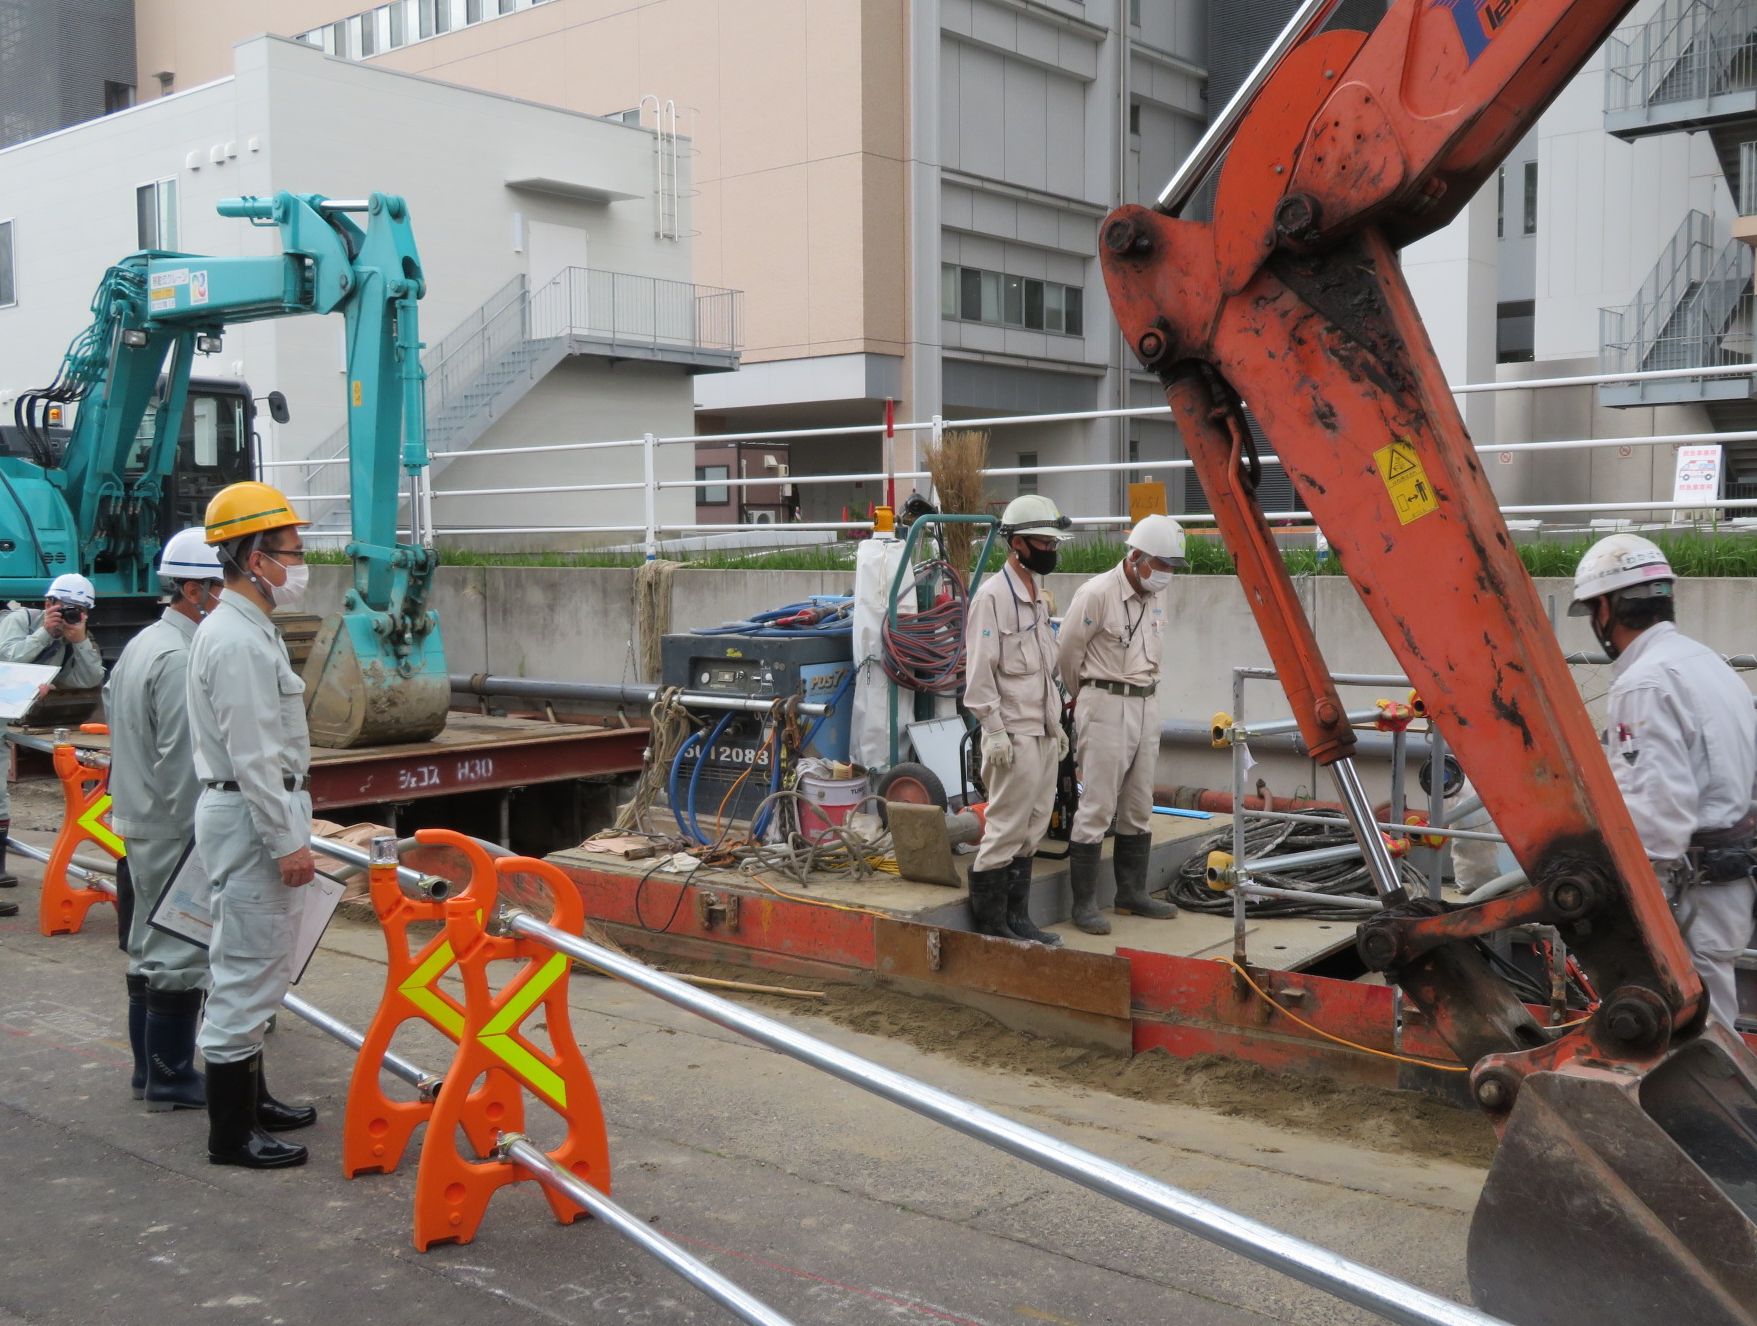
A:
(400, 774)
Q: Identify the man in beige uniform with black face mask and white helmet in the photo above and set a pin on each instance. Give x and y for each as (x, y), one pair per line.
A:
(1011, 689)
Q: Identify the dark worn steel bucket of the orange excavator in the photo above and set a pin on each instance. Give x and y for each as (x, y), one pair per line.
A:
(1623, 1199)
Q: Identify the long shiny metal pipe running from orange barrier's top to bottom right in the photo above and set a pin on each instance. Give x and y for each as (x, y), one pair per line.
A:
(1305, 1262)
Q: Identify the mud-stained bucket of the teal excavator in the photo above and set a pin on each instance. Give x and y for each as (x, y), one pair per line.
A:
(361, 695)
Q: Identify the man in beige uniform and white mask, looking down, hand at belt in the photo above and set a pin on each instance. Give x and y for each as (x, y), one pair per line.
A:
(1111, 642)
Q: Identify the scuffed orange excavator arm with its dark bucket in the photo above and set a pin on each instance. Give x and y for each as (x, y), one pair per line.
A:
(1631, 1141)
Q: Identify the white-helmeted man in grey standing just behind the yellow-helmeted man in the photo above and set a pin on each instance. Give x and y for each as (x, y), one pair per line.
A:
(154, 793)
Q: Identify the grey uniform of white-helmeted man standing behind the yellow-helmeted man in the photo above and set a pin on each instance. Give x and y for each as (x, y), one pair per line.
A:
(154, 789)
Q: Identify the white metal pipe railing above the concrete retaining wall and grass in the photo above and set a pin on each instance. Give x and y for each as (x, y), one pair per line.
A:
(651, 486)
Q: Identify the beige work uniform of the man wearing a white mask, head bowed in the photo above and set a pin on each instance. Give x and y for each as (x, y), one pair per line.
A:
(1113, 635)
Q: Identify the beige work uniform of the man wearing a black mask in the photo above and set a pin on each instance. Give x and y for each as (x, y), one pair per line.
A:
(1011, 686)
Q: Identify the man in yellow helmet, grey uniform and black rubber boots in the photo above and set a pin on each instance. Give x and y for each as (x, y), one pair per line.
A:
(254, 819)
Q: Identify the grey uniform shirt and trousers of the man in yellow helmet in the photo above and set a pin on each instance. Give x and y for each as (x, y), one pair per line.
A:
(249, 728)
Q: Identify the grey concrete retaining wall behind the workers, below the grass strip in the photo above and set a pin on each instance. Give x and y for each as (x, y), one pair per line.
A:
(577, 624)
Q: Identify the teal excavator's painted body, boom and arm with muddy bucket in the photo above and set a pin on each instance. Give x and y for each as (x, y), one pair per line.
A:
(377, 670)
